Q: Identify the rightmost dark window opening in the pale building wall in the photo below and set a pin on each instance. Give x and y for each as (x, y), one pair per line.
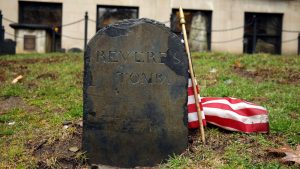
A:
(262, 33)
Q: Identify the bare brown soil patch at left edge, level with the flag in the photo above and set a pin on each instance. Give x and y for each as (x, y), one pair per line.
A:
(7, 104)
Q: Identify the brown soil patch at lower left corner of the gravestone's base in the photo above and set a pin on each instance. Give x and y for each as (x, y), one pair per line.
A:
(56, 154)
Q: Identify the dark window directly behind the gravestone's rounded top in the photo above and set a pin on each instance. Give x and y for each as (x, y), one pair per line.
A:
(110, 14)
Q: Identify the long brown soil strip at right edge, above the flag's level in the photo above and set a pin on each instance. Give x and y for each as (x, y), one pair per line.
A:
(285, 76)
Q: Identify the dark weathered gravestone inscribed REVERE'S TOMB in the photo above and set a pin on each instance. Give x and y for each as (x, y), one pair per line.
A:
(135, 94)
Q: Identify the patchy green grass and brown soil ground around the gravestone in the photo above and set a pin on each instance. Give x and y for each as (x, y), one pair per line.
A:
(41, 114)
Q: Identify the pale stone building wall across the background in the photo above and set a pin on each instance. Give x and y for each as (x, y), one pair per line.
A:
(225, 14)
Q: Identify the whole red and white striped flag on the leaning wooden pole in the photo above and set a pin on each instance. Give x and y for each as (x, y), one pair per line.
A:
(228, 113)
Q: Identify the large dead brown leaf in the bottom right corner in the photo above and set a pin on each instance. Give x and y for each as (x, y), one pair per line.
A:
(290, 154)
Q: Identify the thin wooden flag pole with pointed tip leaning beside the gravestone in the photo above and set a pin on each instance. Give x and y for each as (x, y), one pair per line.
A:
(199, 113)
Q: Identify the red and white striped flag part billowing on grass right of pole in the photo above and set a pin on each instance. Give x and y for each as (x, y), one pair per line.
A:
(235, 114)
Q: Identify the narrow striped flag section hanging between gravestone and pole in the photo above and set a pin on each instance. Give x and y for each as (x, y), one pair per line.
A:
(192, 109)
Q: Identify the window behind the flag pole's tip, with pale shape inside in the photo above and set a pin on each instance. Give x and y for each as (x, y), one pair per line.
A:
(198, 27)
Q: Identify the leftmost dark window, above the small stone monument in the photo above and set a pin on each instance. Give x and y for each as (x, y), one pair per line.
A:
(42, 13)
